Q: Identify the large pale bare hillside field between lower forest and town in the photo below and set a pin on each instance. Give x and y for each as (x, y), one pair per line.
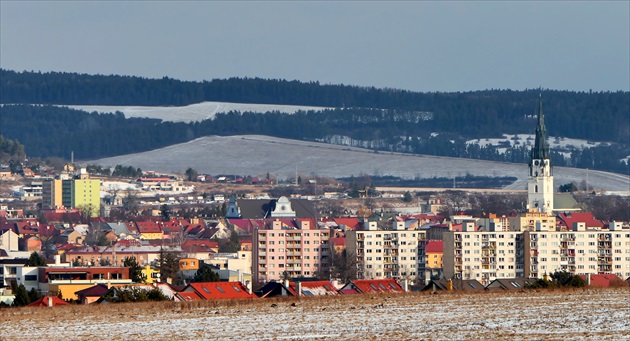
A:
(256, 155)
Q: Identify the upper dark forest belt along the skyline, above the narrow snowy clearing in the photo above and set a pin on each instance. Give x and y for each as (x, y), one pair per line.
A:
(598, 116)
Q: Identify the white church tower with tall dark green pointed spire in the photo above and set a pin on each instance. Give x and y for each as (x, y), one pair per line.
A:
(540, 181)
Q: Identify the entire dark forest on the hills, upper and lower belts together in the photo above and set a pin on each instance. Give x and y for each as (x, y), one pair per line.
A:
(379, 119)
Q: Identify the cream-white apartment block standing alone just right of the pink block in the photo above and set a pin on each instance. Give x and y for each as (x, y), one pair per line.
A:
(385, 253)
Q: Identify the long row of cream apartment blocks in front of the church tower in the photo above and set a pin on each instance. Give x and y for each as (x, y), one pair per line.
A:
(486, 256)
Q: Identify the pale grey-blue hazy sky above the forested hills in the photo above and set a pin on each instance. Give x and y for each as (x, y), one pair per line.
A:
(424, 45)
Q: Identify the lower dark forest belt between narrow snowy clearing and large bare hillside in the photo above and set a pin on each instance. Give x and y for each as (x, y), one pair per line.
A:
(55, 131)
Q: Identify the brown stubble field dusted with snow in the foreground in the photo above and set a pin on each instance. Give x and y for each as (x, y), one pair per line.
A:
(587, 314)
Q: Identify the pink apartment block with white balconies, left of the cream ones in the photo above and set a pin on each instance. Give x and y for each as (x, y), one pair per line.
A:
(293, 246)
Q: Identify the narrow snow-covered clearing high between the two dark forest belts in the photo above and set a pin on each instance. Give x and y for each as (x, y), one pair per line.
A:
(194, 112)
